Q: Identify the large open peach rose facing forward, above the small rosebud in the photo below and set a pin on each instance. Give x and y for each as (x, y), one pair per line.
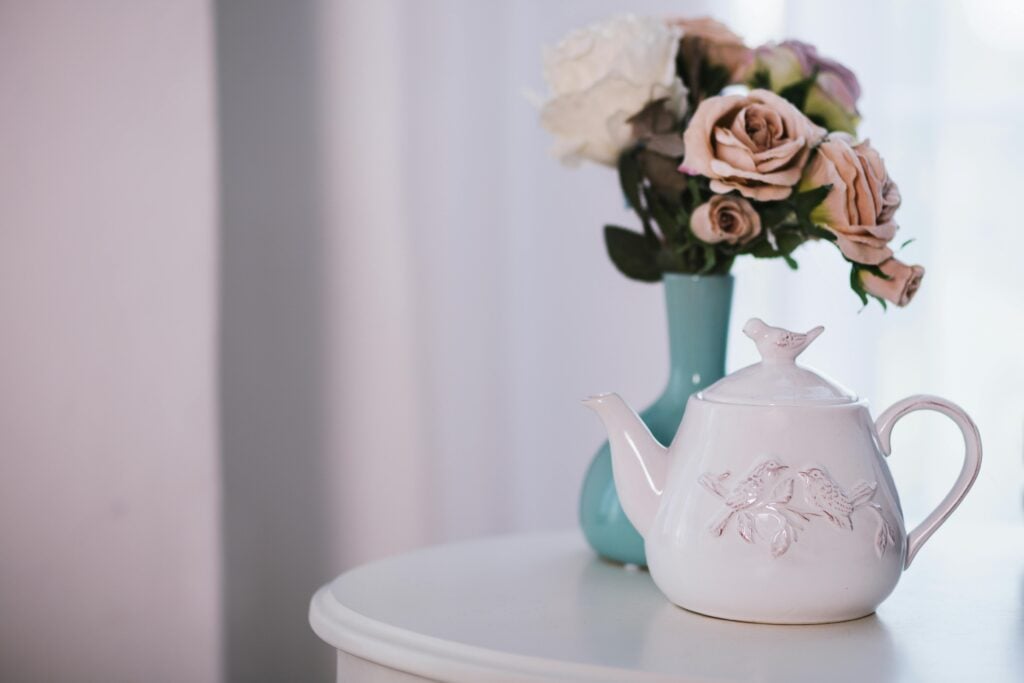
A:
(757, 144)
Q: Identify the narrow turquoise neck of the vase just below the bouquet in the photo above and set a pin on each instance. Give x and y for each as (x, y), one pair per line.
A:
(698, 310)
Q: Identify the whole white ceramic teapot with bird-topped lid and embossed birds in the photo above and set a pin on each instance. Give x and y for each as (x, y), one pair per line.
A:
(775, 503)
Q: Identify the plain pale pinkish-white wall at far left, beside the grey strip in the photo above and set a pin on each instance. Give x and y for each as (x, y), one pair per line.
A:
(109, 563)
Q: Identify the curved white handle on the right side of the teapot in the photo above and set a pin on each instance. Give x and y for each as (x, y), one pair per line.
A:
(972, 461)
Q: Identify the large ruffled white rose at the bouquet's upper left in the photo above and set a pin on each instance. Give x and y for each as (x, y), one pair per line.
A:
(601, 77)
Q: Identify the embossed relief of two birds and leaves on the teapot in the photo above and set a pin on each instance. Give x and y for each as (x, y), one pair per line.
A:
(763, 507)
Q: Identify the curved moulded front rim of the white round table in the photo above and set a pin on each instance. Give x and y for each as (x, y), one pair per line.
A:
(433, 658)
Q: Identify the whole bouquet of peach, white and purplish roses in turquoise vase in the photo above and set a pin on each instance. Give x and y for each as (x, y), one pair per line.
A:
(724, 151)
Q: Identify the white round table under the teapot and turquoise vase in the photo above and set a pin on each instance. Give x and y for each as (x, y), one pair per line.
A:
(543, 609)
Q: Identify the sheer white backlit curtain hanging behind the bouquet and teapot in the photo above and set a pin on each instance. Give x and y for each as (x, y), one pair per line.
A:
(477, 305)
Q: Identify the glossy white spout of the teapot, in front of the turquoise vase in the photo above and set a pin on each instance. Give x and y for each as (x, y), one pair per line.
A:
(639, 463)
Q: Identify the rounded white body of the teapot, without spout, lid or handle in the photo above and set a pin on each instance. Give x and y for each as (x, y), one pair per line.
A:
(783, 515)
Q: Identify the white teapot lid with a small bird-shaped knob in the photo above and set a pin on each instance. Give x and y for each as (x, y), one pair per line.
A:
(778, 380)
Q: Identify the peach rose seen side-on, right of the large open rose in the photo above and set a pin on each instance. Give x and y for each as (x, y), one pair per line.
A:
(860, 209)
